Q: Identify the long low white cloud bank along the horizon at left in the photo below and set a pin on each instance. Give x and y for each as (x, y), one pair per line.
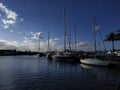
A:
(28, 44)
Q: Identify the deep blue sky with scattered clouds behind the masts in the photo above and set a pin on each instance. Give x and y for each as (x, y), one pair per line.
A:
(23, 21)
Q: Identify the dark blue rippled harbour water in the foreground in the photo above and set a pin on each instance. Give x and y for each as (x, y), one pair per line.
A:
(35, 73)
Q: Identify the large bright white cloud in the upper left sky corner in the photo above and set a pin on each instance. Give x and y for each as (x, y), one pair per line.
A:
(10, 18)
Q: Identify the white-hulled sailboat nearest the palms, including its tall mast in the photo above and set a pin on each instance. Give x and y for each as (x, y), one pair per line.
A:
(95, 61)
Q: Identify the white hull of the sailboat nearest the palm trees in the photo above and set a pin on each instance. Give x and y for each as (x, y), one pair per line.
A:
(96, 62)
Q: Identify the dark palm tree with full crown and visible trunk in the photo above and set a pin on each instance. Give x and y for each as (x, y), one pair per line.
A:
(111, 37)
